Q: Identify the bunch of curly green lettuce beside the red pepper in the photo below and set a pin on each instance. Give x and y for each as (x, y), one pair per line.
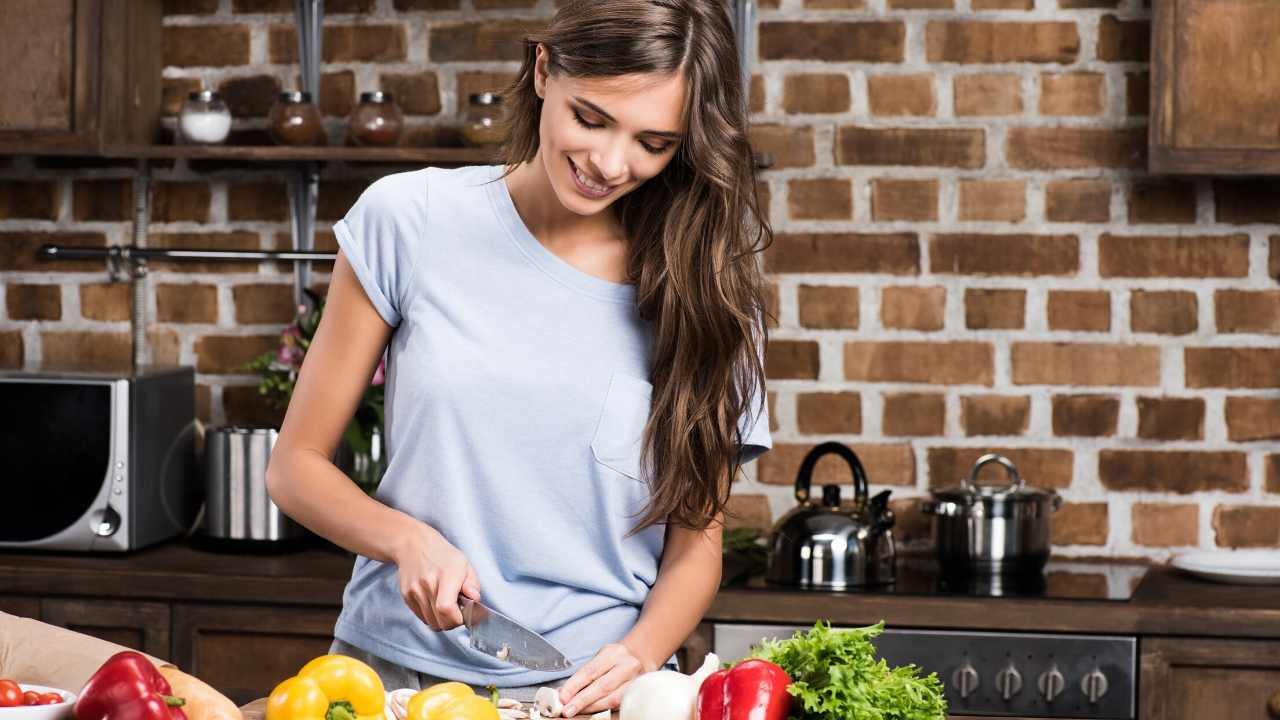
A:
(835, 676)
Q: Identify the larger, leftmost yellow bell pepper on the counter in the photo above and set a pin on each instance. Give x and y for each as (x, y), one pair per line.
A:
(331, 687)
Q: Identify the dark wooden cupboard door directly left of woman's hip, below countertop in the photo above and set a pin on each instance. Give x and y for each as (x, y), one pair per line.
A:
(245, 651)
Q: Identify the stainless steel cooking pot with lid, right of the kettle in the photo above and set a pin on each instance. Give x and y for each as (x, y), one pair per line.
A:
(986, 530)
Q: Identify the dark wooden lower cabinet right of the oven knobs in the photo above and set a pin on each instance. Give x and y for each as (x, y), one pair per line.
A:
(1197, 678)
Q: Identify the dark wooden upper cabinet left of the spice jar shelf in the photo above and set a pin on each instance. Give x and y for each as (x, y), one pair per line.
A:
(81, 76)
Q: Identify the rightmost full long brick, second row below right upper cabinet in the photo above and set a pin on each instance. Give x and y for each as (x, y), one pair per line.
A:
(1180, 257)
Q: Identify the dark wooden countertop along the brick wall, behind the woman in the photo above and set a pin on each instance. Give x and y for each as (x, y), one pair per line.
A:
(1167, 603)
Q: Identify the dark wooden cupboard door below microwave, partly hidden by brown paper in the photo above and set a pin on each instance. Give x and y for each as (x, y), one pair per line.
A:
(139, 626)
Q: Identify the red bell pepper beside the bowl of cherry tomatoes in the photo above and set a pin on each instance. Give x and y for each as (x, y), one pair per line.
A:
(129, 687)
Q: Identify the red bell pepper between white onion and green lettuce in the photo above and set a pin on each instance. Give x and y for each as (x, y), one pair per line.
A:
(753, 690)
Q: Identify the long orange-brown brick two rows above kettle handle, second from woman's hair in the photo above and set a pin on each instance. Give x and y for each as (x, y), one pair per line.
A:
(936, 363)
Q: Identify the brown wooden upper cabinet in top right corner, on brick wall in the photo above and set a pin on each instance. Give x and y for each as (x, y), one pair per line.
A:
(1215, 88)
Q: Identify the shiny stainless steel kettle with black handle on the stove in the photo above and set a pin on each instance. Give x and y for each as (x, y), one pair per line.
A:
(834, 545)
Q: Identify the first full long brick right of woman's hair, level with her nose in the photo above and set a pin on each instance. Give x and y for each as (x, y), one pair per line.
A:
(939, 148)
